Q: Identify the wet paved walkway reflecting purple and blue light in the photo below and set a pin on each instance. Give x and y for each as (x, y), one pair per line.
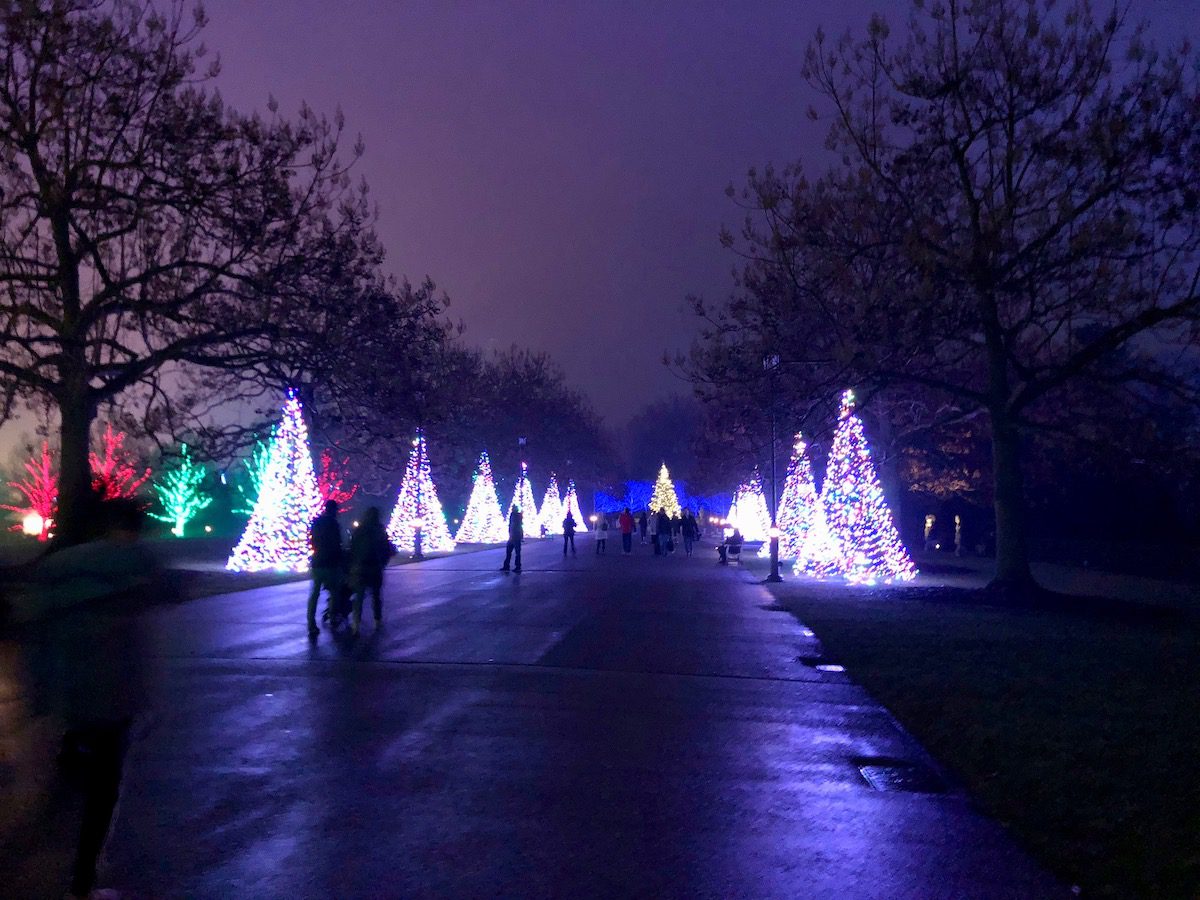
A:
(613, 727)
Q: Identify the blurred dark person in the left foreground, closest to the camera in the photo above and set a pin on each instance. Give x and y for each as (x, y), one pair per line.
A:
(88, 663)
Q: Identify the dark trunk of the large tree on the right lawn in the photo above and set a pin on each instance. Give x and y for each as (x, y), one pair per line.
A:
(1013, 572)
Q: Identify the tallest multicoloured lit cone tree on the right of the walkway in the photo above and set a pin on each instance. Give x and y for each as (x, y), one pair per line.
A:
(859, 513)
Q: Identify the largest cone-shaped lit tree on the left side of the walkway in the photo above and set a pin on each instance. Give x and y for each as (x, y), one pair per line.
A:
(278, 533)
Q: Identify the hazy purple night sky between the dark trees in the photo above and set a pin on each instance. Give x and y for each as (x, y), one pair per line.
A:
(559, 169)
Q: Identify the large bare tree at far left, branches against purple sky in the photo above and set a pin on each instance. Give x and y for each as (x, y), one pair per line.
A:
(147, 231)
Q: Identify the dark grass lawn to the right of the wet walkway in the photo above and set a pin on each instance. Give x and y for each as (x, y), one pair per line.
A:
(1079, 731)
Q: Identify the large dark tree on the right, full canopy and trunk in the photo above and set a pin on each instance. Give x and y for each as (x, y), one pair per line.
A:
(1011, 238)
